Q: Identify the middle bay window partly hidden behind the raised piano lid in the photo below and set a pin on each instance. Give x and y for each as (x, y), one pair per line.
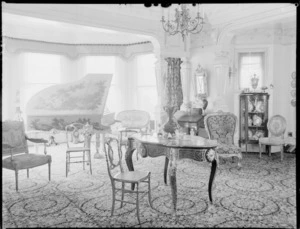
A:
(104, 65)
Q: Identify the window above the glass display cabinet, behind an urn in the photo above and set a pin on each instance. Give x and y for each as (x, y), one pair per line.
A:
(251, 63)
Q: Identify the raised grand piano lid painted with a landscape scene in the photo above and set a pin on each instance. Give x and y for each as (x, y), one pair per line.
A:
(79, 101)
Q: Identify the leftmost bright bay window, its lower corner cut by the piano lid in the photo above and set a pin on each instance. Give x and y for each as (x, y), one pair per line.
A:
(40, 71)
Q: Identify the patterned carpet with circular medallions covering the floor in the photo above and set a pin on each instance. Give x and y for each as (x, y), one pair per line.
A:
(262, 194)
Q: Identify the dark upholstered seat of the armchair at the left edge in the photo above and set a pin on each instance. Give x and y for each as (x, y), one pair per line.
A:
(25, 161)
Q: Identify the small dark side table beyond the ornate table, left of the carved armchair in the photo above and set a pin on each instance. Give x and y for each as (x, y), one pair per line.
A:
(191, 121)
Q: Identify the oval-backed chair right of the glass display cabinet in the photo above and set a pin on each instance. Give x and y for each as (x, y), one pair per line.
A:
(276, 127)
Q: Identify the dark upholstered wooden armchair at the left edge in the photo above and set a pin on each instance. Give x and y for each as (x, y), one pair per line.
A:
(14, 144)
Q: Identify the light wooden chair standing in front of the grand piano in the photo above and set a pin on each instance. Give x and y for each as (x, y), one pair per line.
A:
(78, 137)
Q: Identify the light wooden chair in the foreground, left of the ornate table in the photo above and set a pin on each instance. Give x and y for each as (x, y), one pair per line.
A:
(113, 156)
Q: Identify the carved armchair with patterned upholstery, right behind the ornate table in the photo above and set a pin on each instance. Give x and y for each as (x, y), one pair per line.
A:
(221, 126)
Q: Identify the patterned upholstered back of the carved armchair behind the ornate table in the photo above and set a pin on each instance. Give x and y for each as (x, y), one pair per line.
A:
(221, 126)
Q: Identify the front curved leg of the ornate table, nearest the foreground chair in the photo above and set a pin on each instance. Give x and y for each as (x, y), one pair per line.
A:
(173, 155)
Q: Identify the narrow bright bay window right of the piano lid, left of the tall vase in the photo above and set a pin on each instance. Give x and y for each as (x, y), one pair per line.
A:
(146, 83)
